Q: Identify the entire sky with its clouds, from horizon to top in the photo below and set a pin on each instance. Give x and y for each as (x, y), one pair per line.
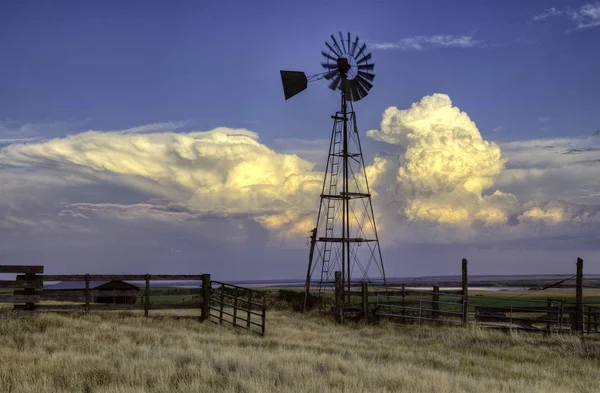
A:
(154, 137)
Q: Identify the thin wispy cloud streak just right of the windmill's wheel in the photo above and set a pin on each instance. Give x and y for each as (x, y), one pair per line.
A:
(420, 43)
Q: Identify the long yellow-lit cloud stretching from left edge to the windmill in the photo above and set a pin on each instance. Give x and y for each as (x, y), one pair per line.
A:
(223, 171)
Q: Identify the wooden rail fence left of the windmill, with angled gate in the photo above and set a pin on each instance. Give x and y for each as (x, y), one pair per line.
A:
(200, 294)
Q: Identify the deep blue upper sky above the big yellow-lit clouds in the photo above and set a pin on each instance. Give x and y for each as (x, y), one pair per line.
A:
(116, 65)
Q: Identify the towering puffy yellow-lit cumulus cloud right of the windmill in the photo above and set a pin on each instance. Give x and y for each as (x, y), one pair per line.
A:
(447, 164)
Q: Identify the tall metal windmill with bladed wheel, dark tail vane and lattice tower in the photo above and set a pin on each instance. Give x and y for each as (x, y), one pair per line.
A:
(345, 237)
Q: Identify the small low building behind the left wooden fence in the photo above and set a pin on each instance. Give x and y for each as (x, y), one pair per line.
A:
(110, 287)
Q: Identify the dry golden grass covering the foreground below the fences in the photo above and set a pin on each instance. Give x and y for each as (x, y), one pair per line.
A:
(116, 353)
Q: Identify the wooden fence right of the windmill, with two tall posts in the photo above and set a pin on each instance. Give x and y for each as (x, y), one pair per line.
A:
(457, 307)
